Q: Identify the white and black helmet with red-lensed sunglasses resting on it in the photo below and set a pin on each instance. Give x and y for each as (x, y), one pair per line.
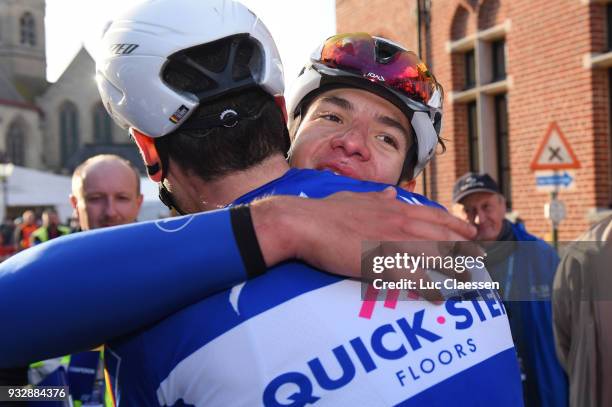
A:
(377, 65)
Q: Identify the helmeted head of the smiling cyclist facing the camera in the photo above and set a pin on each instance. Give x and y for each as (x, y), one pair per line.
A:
(333, 125)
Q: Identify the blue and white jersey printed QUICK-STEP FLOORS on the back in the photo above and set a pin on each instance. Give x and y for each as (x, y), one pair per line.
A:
(296, 336)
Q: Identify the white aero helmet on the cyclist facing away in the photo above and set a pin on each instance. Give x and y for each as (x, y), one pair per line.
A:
(134, 77)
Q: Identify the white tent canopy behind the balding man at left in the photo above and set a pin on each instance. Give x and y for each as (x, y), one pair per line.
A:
(27, 187)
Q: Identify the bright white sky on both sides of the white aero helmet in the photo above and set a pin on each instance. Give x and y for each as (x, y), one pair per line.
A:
(298, 26)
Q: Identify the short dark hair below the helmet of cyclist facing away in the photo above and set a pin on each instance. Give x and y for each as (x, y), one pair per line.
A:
(213, 152)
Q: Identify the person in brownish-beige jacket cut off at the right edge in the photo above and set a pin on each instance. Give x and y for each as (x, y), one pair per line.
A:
(582, 316)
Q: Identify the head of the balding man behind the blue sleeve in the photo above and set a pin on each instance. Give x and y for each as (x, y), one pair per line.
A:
(105, 192)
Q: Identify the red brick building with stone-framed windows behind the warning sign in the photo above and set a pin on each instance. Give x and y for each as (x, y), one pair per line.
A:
(510, 68)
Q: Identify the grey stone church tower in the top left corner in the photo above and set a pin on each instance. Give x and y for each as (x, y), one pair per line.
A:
(22, 45)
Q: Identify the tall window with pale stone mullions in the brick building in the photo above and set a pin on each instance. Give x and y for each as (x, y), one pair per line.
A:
(479, 61)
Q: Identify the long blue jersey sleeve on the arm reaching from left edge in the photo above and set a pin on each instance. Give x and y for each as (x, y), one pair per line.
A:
(78, 291)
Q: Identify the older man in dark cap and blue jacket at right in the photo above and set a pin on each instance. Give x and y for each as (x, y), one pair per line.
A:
(525, 273)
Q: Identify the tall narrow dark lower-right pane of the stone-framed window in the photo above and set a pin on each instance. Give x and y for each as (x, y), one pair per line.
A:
(503, 147)
